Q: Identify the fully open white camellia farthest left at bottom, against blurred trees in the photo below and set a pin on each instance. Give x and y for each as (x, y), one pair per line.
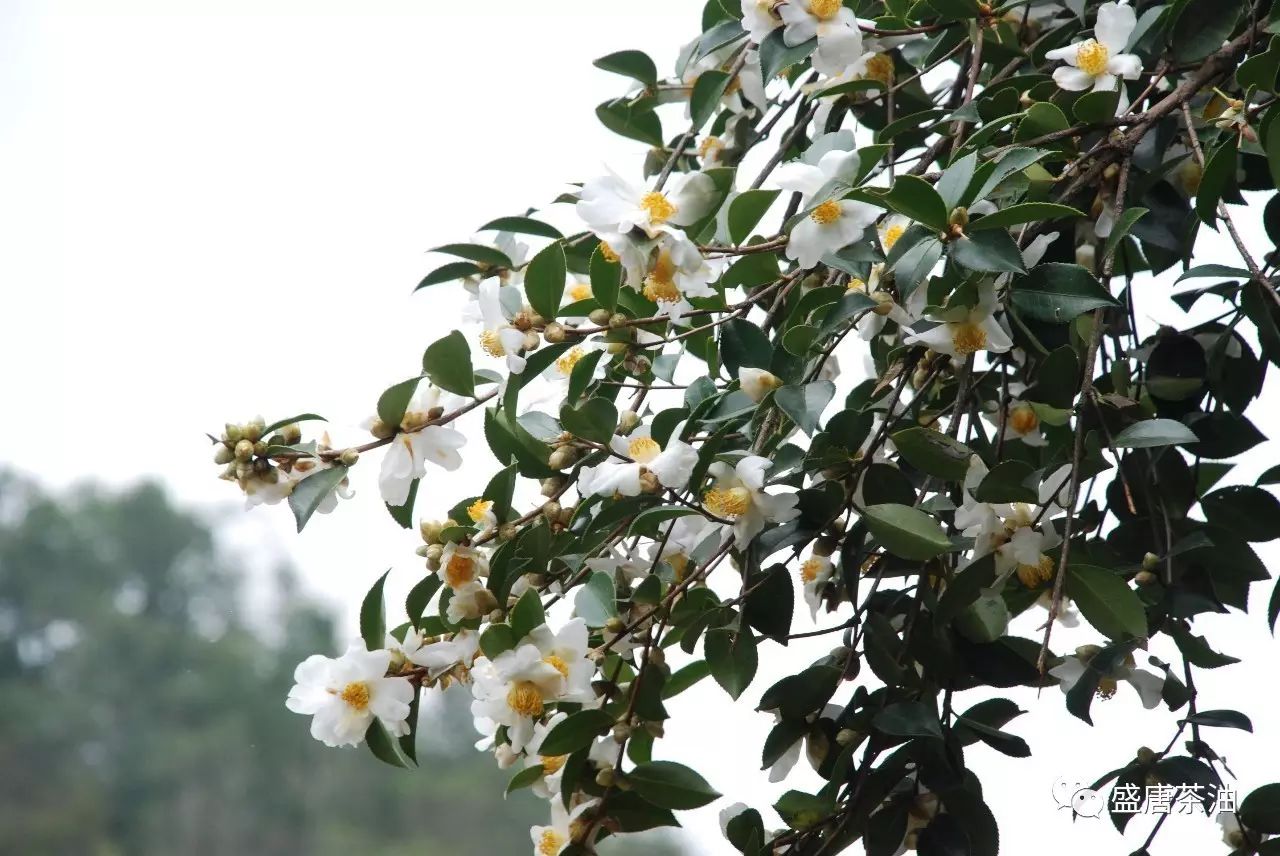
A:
(345, 695)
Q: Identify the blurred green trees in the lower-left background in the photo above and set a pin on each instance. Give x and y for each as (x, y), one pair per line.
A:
(141, 706)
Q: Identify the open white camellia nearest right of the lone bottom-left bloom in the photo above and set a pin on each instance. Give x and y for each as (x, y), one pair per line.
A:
(513, 690)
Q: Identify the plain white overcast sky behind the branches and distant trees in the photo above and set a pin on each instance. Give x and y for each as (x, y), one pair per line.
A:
(213, 210)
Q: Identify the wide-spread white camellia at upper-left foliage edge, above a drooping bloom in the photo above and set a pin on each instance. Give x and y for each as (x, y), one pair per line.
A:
(612, 207)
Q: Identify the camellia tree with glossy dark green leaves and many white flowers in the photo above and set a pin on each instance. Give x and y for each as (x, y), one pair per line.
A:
(984, 204)
